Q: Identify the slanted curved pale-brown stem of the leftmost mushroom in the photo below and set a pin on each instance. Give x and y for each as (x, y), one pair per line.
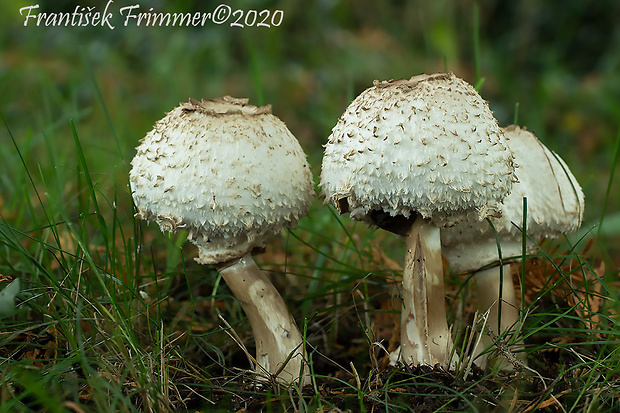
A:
(279, 345)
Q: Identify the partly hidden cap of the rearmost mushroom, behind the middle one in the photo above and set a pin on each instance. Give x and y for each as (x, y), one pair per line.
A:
(555, 205)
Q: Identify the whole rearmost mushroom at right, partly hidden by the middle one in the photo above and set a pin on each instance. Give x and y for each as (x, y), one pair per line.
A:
(555, 205)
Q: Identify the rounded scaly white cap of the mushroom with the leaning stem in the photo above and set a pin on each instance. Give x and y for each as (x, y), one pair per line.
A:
(229, 173)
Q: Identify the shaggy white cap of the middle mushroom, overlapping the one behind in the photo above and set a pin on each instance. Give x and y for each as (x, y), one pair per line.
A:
(428, 145)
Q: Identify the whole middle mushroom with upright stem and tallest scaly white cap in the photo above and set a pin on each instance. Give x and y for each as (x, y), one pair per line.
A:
(412, 156)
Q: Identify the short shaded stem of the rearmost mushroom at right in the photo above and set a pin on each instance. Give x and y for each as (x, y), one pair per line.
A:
(491, 291)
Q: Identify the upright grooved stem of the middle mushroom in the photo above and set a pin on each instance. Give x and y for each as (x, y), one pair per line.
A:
(425, 336)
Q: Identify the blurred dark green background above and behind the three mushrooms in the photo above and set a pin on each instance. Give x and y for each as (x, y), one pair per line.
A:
(554, 64)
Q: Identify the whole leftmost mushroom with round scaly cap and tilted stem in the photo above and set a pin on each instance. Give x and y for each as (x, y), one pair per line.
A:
(231, 175)
